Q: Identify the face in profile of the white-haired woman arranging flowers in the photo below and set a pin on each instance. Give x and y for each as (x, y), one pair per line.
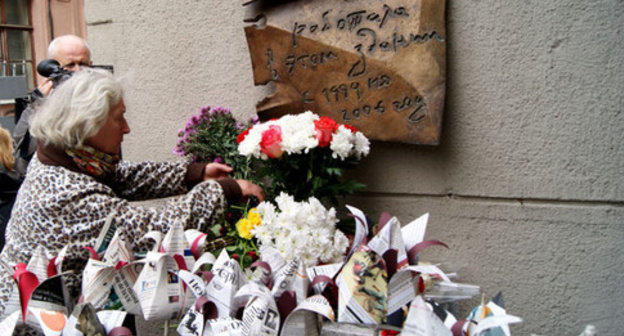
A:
(109, 137)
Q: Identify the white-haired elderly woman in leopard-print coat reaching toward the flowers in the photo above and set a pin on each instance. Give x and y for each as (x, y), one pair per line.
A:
(76, 181)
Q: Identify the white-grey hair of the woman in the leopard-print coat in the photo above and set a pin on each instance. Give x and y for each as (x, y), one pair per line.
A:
(76, 109)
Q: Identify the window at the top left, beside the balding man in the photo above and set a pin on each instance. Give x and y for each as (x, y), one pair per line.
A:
(16, 40)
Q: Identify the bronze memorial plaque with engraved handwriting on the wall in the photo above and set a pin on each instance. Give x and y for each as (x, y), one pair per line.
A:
(377, 65)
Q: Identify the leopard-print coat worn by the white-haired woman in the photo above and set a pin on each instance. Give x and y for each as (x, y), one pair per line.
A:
(56, 207)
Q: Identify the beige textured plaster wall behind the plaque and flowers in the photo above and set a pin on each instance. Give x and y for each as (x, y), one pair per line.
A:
(526, 186)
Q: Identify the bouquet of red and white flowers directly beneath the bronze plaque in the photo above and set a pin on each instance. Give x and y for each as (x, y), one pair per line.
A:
(305, 155)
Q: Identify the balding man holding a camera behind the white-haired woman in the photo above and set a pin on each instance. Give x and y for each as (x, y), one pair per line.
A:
(72, 54)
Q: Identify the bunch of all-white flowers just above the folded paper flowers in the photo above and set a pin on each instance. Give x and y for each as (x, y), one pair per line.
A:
(300, 229)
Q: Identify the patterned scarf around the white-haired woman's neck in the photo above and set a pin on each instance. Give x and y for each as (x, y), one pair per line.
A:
(93, 161)
